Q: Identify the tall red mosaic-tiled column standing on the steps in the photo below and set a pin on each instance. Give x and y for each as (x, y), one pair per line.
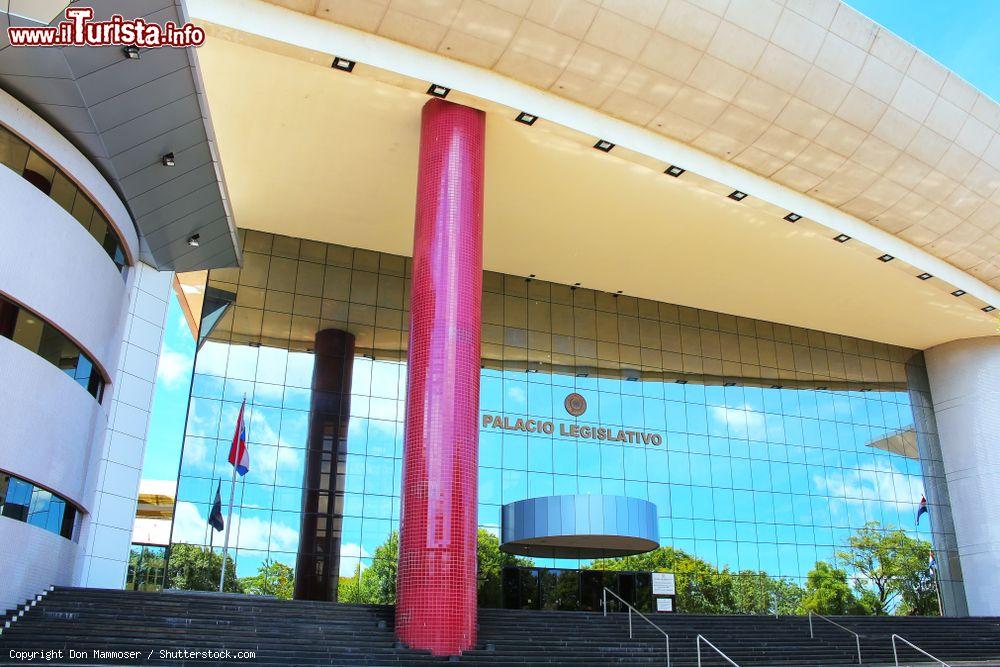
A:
(436, 590)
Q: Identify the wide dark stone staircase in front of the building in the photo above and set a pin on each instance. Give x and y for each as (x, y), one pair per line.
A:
(319, 633)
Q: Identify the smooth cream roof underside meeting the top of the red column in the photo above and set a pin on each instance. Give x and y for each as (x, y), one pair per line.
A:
(318, 153)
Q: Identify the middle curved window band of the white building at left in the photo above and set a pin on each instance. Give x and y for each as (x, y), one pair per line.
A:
(29, 330)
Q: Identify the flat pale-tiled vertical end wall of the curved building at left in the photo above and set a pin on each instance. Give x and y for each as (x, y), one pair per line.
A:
(116, 457)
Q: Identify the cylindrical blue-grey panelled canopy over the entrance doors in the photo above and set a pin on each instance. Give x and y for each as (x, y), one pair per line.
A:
(580, 526)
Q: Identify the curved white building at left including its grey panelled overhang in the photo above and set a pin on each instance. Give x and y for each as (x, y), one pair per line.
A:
(82, 299)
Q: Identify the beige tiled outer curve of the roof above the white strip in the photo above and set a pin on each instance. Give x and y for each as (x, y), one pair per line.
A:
(810, 94)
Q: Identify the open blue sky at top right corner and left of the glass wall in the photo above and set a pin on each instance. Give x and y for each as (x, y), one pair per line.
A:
(963, 36)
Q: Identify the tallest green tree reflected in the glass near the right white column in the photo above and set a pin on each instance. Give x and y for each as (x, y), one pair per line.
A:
(890, 569)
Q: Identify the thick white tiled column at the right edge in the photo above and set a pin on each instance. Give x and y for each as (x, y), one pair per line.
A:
(965, 385)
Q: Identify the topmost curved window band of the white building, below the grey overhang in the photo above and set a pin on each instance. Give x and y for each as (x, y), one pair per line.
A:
(19, 156)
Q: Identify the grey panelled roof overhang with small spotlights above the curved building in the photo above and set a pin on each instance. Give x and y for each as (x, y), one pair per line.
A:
(124, 115)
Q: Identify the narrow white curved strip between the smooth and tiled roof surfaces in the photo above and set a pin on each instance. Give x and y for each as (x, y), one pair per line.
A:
(260, 19)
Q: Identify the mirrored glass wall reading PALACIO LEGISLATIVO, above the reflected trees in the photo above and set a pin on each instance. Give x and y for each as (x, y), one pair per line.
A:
(773, 444)
